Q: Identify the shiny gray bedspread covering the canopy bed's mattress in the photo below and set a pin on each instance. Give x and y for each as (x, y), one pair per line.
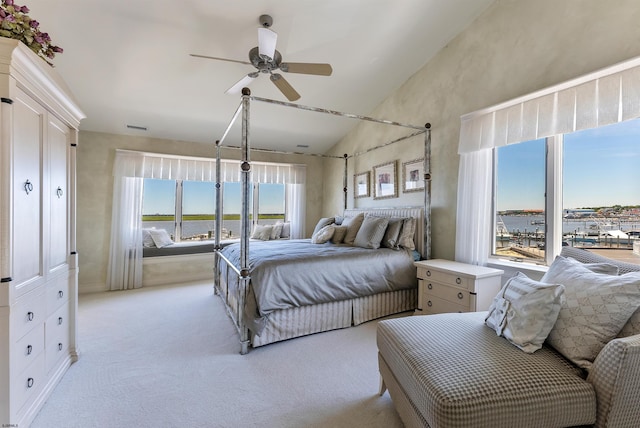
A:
(293, 273)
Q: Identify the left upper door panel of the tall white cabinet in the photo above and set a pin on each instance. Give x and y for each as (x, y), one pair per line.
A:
(28, 119)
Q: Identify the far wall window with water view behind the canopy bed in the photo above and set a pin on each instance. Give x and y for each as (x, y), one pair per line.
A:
(187, 209)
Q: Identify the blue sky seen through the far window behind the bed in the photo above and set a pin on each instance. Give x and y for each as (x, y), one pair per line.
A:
(199, 197)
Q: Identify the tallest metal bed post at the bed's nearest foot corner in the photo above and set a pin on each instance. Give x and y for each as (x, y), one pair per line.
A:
(245, 167)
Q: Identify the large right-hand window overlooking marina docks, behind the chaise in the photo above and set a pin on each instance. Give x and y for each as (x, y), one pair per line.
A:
(590, 199)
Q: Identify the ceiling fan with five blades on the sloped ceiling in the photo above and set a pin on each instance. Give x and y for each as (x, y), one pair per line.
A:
(266, 59)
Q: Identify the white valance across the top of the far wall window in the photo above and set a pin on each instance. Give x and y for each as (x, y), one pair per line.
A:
(171, 167)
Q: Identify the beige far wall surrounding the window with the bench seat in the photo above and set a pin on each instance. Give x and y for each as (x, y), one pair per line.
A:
(95, 155)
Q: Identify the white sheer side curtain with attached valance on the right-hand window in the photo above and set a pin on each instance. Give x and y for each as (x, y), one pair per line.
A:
(607, 96)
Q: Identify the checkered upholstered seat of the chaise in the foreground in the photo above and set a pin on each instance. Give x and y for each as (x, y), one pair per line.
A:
(458, 373)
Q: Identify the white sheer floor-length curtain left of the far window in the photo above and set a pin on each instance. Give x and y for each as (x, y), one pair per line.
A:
(125, 255)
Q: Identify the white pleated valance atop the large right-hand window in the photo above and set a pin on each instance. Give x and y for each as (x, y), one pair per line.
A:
(601, 98)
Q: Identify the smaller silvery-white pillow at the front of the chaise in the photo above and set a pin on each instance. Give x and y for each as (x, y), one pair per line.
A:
(524, 311)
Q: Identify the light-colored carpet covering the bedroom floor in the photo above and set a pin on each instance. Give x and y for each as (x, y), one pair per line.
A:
(169, 357)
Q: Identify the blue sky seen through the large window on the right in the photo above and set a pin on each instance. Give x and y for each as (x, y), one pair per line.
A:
(601, 168)
